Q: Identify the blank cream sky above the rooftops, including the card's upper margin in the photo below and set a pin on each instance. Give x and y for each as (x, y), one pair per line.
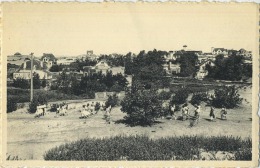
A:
(70, 29)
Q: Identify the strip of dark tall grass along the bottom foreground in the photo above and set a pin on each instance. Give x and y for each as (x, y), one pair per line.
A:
(144, 148)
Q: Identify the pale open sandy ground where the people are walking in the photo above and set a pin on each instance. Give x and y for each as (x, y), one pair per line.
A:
(29, 138)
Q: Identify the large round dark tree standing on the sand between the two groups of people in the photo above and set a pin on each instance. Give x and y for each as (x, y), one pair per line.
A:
(141, 106)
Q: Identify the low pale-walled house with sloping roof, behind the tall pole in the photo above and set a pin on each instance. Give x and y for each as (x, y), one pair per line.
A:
(24, 71)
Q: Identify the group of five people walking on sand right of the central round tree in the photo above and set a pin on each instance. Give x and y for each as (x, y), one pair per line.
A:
(186, 114)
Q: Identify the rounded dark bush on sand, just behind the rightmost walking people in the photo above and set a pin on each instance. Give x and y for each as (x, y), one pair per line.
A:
(226, 96)
